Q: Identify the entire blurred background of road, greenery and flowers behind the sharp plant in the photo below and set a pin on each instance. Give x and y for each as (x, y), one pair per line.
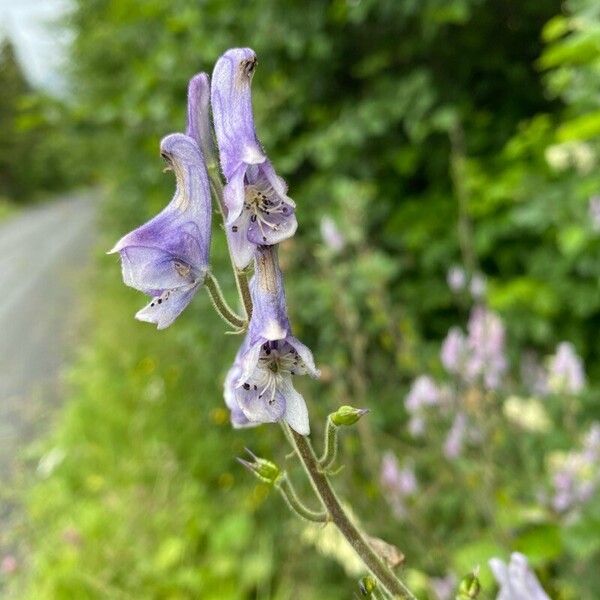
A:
(444, 157)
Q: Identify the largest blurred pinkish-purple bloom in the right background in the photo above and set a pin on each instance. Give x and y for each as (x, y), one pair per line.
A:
(485, 343)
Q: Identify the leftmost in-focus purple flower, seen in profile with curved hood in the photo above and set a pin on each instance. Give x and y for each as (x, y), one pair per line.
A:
(167, 258)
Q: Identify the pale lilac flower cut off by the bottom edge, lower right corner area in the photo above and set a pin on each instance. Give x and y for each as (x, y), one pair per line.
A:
(516, 580)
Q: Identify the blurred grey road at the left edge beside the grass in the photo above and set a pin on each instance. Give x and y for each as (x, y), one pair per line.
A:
(43, 253)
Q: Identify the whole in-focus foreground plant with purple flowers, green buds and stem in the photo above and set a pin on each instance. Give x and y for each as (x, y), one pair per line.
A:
(168, 260)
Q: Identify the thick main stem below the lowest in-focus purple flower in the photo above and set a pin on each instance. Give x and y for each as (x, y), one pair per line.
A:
(337, 514)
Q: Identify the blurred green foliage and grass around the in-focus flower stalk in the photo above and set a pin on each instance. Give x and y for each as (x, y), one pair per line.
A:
(435, 133)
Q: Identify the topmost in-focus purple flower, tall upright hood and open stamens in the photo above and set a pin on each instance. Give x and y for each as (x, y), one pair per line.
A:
(259, 211)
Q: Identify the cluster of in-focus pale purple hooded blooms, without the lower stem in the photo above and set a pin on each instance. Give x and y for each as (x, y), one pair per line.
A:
(168, 257)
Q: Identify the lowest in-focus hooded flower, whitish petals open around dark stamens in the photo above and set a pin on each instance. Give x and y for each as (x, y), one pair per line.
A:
(258, 388)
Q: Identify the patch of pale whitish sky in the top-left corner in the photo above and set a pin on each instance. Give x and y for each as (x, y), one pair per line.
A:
(40, 45)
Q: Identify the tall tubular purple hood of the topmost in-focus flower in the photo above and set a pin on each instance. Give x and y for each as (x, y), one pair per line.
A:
(232, 110)
